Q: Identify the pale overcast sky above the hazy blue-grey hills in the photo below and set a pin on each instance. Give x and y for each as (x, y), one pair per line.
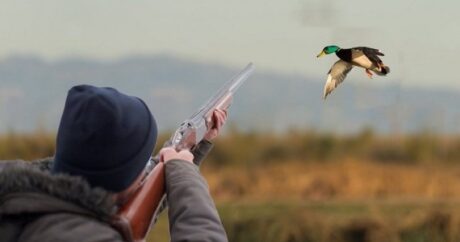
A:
(419, 37)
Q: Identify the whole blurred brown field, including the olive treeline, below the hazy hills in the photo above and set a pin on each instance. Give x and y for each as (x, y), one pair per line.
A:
(308, 186)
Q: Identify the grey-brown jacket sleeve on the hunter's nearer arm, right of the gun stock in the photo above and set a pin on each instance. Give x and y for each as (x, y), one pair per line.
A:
(192, 213)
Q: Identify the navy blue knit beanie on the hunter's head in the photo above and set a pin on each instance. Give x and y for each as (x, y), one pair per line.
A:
(104, 136)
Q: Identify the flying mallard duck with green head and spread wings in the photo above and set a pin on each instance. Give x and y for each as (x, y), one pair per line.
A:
(364, 57)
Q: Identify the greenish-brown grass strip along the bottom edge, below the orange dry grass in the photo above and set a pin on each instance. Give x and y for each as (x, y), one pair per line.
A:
(341, 221)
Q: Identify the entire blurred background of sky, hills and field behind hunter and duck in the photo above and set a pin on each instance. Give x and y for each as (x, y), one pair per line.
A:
(377, 161)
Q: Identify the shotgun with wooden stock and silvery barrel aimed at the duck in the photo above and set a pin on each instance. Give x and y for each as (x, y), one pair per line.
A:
(135, 218)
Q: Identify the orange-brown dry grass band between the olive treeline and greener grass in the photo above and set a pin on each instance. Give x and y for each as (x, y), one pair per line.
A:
(343, 180)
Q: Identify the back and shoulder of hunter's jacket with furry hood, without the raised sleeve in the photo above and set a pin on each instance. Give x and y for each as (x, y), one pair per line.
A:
(38, 206)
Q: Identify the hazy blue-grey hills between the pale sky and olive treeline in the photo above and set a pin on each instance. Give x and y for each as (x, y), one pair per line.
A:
(32, 95)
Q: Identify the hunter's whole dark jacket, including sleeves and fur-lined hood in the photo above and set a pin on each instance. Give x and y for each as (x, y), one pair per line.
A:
(38, 206)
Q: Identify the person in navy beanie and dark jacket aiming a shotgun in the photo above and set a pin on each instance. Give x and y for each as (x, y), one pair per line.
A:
(104, 142)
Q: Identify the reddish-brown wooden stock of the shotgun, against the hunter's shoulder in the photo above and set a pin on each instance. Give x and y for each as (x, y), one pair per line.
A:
(133, 220)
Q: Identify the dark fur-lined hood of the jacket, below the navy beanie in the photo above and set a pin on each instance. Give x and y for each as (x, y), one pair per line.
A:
(29, 186)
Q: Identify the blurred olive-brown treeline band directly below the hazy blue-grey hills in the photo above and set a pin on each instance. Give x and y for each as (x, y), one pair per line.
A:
(235, 147)
